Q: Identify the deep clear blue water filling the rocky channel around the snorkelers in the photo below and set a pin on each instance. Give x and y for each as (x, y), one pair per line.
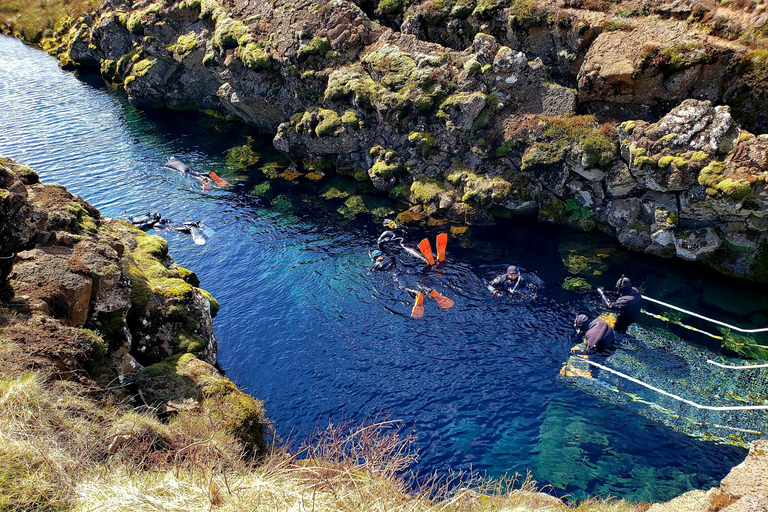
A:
(307, 328)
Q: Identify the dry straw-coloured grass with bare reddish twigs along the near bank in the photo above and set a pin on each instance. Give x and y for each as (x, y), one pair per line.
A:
(62, 451)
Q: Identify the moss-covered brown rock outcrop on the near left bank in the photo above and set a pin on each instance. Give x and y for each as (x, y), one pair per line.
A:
(99, 302)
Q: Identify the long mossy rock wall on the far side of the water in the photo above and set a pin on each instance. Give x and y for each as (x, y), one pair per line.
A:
(467, 109)
